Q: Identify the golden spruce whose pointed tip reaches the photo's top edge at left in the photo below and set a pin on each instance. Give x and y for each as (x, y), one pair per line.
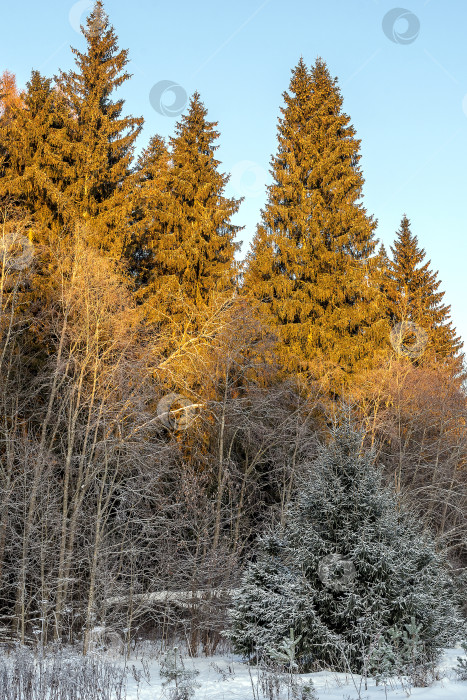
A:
(100, 142)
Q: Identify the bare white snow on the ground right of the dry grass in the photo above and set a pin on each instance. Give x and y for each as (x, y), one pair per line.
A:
(226, 678)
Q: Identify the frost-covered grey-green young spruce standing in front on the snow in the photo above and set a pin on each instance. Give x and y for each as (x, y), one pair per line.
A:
(348, 571)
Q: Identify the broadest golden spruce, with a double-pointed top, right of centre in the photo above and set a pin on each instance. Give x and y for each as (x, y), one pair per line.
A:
(312, 263)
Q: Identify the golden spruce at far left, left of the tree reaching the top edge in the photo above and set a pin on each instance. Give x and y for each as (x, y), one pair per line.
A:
(33, 173)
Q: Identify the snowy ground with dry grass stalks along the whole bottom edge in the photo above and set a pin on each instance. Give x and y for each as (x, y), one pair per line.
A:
(221, 677)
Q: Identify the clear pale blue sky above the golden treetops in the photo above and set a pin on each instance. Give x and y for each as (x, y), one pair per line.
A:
(407, 101)
